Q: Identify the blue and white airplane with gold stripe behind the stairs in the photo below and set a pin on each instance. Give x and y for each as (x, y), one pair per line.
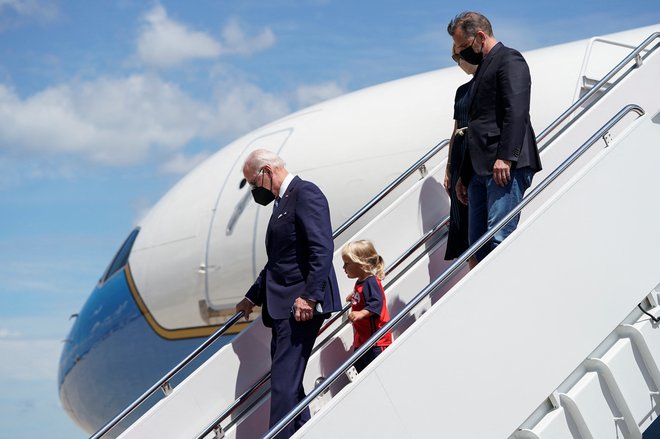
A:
(180, 272)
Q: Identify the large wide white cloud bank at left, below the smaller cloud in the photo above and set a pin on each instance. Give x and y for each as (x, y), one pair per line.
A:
(126, 121)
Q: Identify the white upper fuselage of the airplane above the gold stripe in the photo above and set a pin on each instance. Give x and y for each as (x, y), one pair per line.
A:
(351, 146)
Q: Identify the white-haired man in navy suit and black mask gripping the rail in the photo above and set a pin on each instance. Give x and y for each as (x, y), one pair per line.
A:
(297, 288)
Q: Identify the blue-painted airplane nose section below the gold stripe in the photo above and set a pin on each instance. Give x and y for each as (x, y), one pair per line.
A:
(112, 355)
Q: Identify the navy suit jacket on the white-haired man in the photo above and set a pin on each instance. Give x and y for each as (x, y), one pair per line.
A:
(299, 246)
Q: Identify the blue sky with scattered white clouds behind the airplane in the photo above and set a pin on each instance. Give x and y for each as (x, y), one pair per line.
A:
(104, 105)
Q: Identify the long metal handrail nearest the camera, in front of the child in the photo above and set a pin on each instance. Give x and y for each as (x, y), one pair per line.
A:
(447, 274)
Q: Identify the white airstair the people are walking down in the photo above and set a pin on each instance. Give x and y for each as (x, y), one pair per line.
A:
(554, 335)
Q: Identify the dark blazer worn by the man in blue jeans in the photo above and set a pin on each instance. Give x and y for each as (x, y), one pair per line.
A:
(499, 125)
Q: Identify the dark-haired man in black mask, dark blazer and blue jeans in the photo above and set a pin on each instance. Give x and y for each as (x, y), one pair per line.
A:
(501, 144)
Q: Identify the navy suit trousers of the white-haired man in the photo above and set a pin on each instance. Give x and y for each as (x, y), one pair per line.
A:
(290, 349)
